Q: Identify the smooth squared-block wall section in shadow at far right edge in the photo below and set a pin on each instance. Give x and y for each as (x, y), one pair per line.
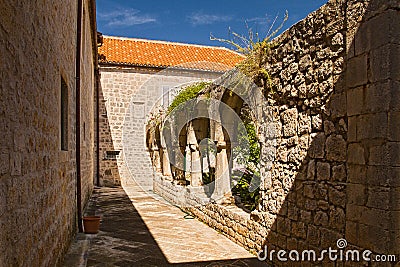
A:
(372, 90)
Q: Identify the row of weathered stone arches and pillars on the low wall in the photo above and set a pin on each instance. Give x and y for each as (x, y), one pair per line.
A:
(182, 142)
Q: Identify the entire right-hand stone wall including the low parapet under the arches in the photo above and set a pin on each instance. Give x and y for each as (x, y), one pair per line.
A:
(331, 123)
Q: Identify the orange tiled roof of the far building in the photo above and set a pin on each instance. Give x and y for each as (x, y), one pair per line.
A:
(140, 52)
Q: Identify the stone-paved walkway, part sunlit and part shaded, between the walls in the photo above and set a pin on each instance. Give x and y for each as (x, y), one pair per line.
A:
(141, 229)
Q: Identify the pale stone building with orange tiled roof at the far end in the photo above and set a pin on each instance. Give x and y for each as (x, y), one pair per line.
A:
(137, 76)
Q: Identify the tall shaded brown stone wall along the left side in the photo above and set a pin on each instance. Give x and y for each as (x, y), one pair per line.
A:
(37, 178)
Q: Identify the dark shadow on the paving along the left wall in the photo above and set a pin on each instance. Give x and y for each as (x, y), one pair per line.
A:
(125, 240)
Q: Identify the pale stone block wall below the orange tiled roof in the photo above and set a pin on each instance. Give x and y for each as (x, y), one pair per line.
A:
(128, 94)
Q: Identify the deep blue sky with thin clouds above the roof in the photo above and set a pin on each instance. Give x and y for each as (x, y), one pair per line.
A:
(193, 21)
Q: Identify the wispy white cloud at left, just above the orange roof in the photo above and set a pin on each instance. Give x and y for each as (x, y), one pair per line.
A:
(126, 17)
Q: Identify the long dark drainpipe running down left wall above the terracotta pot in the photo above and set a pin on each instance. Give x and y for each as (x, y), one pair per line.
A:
(78, 115)
